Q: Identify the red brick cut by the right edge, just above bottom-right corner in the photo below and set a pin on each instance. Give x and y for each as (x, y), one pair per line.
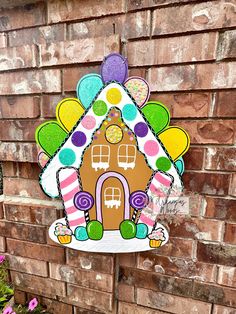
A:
(214, 294)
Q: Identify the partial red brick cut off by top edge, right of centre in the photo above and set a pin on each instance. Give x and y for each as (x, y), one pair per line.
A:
(142, 4)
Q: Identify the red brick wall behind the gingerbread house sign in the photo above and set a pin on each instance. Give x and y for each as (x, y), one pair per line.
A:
(187, 52)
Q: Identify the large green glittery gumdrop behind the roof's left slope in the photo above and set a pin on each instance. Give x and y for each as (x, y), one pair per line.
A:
(50, 136)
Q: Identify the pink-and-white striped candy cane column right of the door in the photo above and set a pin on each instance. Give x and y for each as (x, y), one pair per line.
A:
(158, 191)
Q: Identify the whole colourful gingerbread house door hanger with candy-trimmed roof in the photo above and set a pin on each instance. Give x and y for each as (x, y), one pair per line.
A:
(113, 159)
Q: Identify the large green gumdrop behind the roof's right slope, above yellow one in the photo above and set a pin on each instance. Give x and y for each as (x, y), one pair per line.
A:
(157, 115)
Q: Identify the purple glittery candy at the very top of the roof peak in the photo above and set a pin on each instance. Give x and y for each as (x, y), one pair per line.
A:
(114, 68)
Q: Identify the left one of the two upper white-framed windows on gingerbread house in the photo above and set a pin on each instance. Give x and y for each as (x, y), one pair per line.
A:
(100, 157)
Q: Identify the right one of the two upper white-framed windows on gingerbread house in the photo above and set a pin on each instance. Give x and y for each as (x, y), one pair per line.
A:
(126, 156)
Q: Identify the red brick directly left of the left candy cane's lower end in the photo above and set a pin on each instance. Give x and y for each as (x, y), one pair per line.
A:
(30, 213)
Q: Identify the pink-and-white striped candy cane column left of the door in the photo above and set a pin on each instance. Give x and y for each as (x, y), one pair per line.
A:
(69, 185)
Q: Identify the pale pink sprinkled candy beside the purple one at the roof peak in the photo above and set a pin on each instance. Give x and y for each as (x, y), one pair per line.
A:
(139, 89)
